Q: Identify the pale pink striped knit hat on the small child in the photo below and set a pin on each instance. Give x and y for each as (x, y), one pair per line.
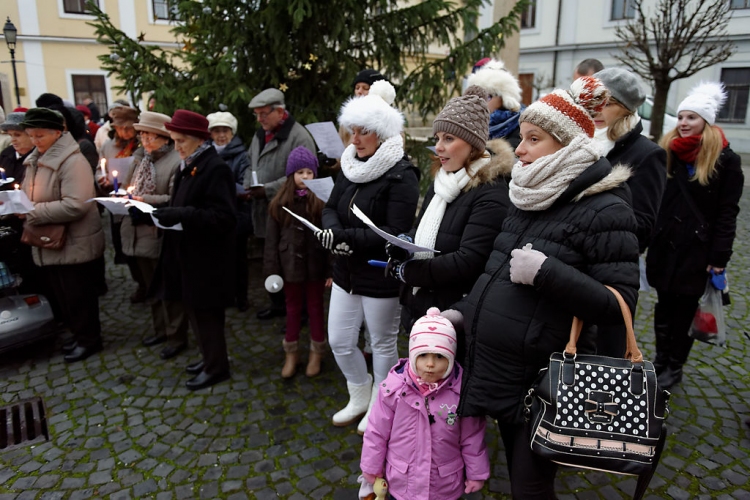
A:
(432, 333)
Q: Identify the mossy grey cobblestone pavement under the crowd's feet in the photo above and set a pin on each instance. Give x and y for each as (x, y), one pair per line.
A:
(123, 425)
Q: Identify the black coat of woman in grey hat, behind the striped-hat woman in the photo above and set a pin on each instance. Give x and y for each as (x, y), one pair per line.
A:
(649, 165)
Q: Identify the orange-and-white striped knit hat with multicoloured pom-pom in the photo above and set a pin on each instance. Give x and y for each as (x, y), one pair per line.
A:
(564, 114)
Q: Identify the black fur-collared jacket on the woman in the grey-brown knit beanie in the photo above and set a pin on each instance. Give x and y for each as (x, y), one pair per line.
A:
(469, 226)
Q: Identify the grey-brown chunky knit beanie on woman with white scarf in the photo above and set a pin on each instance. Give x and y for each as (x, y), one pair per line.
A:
(467, 117)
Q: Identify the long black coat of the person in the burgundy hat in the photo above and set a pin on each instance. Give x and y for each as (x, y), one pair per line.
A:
(193, 265)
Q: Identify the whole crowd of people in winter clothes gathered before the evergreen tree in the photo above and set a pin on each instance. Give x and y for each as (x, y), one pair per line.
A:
(531, 213)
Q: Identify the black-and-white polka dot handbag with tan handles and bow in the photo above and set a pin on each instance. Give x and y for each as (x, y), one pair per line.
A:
(598, 412)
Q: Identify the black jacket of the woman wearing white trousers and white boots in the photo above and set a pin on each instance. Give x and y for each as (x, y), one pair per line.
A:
(390, 201)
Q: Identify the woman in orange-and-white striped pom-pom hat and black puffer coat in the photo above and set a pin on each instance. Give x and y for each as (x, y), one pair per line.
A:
(570, 232)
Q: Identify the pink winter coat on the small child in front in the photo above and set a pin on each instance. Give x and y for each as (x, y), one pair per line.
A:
(419, 460)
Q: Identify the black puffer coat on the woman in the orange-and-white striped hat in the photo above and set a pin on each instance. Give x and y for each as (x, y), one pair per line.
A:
(511, 329)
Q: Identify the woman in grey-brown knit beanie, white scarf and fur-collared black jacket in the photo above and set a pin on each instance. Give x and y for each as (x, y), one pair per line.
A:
(462, 212)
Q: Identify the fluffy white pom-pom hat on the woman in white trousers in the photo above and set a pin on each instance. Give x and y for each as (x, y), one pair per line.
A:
(373, 112)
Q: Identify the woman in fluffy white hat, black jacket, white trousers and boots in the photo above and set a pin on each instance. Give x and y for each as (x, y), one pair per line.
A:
(381, 181)
